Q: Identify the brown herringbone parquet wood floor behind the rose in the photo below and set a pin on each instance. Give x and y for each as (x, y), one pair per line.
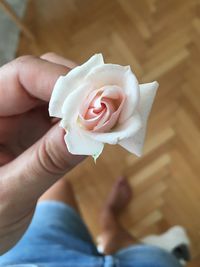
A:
(160, 40)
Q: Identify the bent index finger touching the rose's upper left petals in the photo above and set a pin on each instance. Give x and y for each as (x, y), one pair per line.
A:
(26, 81)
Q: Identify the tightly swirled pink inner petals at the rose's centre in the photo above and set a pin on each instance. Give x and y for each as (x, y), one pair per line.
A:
(101, 109)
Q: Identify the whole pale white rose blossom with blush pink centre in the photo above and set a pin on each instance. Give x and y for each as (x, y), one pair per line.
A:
(102, 103)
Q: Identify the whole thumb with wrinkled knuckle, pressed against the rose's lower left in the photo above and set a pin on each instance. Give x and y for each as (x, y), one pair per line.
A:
(27, 177)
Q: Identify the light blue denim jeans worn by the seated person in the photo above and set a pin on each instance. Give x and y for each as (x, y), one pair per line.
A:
(58, 237)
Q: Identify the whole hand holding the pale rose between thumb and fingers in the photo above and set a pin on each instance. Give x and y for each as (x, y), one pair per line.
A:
(33, 155)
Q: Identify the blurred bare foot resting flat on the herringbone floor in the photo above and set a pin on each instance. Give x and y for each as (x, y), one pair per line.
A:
(119, 197)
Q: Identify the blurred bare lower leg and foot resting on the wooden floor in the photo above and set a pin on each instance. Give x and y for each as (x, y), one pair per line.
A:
(113, 236)
